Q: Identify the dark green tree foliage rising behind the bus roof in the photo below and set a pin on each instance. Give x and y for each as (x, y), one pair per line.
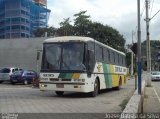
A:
(83, 26)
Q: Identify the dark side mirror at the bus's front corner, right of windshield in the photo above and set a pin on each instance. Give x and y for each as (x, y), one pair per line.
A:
(91, 61)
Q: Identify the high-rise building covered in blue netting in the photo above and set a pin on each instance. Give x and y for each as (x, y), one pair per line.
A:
(20, 18)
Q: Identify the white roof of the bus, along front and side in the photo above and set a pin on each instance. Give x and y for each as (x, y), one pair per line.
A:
(80, 39)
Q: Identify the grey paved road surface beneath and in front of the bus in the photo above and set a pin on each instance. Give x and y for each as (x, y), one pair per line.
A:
(25, 99)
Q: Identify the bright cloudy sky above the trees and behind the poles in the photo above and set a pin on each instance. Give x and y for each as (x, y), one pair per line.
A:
(119, 14)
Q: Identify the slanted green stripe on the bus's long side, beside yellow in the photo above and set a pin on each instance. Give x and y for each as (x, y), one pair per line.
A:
(107, 75)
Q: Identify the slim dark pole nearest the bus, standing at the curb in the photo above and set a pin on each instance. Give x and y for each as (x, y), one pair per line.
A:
(139, 48)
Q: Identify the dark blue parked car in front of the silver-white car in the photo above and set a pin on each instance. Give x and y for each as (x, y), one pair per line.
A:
(24, 76)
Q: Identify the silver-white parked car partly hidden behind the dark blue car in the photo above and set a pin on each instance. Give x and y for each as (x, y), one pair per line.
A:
(5, 73)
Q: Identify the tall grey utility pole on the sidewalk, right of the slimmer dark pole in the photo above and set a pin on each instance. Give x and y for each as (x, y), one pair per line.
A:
(148, 46)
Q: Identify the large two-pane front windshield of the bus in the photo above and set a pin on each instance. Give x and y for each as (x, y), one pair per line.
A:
(63, 56)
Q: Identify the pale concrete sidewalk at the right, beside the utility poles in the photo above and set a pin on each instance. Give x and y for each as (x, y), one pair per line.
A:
(151, 102)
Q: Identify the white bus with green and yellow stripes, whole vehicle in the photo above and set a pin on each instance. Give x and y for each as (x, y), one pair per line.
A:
(80, 64)
